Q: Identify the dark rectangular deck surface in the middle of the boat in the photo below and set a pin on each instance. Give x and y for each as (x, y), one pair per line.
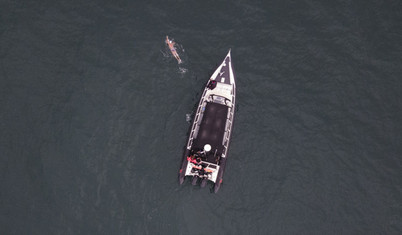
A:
(212, 127)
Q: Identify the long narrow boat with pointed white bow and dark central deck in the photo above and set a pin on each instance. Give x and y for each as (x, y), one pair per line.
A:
(207, 147)
